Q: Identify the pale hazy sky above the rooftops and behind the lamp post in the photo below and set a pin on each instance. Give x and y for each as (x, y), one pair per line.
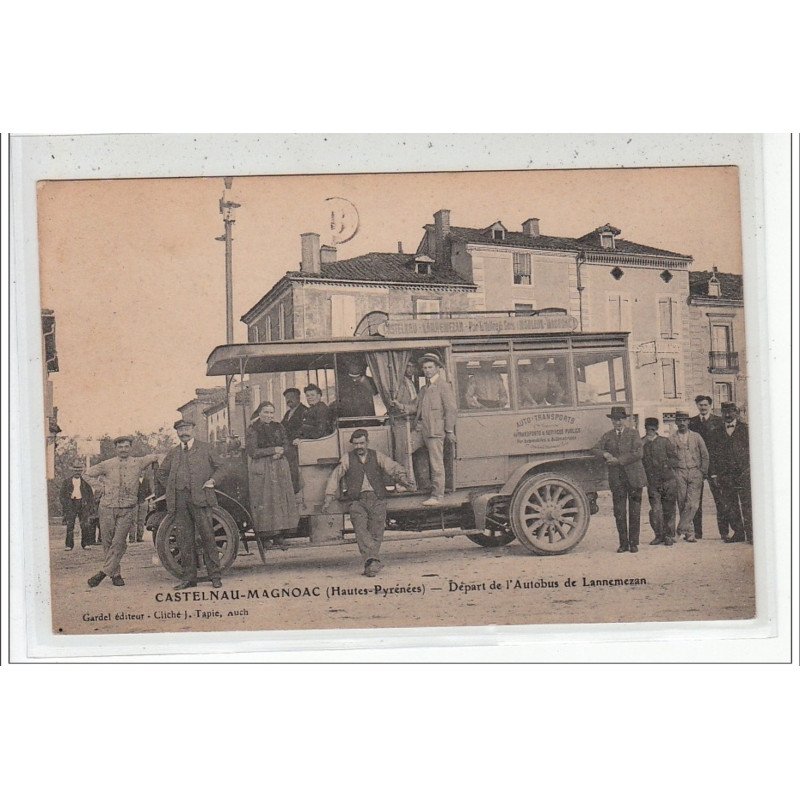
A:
(137, 281)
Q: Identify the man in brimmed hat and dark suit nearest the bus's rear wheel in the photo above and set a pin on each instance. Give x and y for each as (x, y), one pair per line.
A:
(621, 449)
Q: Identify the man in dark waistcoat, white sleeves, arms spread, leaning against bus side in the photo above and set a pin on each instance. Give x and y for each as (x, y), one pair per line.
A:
(366, 473)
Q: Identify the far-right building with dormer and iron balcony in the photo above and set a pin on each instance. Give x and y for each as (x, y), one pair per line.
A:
(717, 340)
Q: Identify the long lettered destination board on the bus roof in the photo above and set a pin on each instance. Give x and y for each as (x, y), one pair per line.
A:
(479, 324)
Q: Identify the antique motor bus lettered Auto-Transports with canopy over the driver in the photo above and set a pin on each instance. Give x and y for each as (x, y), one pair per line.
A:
(532, 396)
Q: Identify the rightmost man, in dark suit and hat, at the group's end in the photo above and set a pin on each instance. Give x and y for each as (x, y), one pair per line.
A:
(730, 467)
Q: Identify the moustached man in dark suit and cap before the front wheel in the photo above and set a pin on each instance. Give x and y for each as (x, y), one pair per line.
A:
(190, 472)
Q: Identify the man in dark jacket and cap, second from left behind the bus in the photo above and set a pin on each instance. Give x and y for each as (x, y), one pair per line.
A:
(660, 460)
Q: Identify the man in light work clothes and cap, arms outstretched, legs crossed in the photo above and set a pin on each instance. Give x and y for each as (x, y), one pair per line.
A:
(118, 505)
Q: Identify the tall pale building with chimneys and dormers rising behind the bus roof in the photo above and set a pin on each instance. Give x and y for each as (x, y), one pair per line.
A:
(606, 282)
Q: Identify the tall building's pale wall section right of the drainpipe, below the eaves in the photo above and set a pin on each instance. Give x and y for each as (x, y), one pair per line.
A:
(632, 303)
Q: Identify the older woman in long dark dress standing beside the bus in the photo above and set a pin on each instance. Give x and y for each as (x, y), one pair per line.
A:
(272, 501)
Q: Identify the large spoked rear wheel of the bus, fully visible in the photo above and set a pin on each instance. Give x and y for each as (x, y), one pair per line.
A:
(549, 514)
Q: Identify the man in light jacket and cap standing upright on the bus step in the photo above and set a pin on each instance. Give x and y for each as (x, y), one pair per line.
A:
(435, 421)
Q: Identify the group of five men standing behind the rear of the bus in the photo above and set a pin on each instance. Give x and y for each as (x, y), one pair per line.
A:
(705, 447)
